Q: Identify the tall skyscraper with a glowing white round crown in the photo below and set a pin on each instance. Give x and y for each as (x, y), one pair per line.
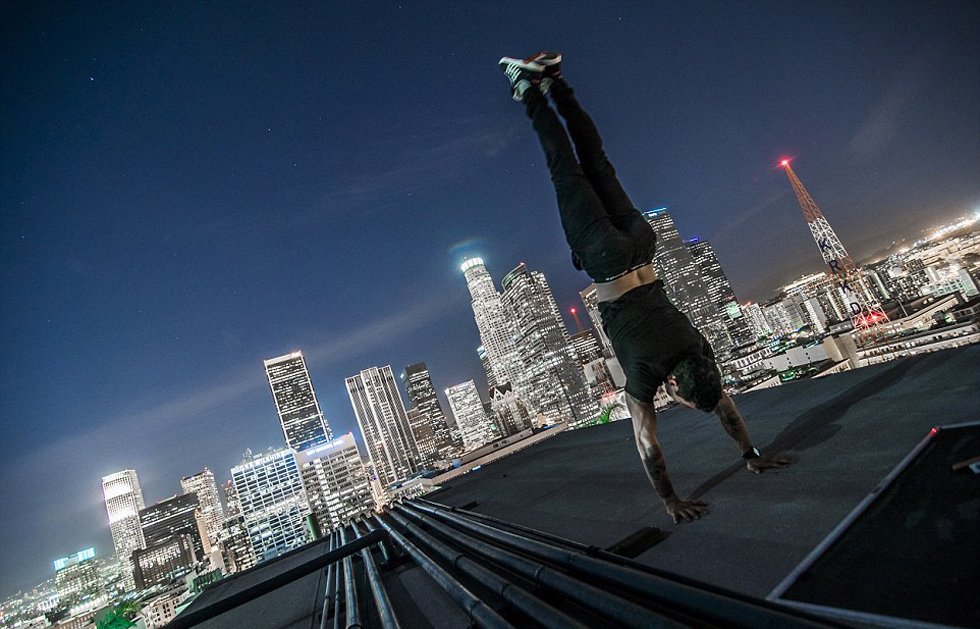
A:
(497, 329)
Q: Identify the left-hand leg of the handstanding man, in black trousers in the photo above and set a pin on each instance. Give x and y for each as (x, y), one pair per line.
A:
(599, 245)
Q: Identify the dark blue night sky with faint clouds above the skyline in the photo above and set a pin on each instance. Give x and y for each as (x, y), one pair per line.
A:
(189, 188)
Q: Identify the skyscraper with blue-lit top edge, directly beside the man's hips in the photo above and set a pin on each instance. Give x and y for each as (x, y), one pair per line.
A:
(682, 279)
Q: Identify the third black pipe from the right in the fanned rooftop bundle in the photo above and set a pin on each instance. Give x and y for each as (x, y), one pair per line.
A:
(536, 609)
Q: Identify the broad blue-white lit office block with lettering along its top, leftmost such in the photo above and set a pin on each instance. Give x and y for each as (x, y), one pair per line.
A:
(273, 502)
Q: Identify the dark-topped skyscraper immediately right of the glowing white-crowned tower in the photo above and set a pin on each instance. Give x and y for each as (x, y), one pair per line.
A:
(556, 385)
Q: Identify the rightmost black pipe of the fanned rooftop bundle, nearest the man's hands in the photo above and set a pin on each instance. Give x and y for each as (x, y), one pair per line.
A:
(697, 602)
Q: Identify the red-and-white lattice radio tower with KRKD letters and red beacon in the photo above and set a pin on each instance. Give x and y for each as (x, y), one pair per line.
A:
(865, 310)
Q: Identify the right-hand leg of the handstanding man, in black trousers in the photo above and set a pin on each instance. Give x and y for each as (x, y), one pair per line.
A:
(595, 163)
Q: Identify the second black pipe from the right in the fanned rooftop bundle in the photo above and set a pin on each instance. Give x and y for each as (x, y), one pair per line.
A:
(616, 608)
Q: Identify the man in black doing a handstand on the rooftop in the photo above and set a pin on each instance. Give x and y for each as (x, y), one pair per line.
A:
(612, 242)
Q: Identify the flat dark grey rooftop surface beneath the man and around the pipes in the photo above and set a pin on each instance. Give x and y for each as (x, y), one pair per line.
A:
(847, 430)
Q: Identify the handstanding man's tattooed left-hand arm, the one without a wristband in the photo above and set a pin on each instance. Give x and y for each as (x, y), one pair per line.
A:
(645, 432)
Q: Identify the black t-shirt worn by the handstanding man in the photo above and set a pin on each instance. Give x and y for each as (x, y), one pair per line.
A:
(649, 335)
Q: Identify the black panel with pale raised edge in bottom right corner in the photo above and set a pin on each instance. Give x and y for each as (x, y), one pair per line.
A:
(922, 535)
